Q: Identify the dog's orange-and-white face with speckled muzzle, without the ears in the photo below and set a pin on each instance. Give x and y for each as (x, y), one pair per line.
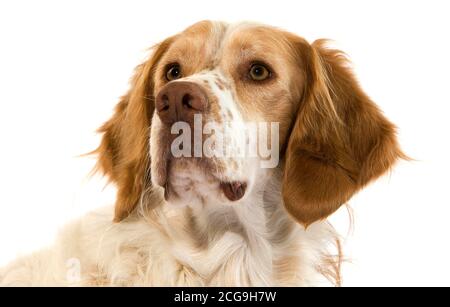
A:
(230, 77)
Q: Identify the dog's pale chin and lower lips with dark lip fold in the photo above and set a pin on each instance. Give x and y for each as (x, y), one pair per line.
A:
(192, 182)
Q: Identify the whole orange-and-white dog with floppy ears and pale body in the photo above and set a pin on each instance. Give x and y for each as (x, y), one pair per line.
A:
(188, 216)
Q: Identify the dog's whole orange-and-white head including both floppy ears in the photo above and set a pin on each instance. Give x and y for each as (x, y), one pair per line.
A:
(217, 102)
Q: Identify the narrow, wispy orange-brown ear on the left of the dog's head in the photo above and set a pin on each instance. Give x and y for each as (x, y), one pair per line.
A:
(123, 154)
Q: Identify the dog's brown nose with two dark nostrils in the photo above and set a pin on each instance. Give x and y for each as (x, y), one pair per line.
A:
(179, 101)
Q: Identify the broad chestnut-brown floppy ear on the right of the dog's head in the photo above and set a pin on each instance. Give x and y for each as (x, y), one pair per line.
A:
(340, 140)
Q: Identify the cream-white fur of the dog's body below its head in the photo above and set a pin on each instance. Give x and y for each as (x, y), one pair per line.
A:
(153, 248)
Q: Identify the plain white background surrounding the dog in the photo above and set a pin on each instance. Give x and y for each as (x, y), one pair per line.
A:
(63, 65)
